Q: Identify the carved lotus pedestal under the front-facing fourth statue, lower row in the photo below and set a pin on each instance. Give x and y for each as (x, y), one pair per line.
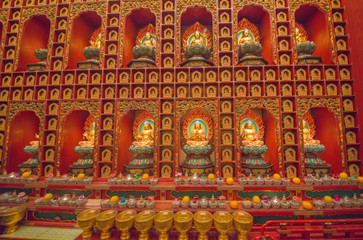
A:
(197, 161)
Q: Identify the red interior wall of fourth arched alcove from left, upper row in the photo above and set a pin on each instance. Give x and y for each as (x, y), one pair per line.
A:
(194, 14)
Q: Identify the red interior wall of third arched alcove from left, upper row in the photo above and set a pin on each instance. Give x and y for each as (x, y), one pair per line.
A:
(134, 22)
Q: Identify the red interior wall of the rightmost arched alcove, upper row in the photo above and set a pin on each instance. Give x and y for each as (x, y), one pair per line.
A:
(315, 22)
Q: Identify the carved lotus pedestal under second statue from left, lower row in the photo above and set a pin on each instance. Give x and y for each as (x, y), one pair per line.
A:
(85, 163)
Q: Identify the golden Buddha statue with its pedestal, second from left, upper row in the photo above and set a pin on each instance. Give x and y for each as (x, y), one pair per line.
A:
(92, 52)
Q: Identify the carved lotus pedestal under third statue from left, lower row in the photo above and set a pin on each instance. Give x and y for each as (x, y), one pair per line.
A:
(143, 161)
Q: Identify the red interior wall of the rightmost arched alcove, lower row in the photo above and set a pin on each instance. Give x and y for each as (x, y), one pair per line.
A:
(327, 132)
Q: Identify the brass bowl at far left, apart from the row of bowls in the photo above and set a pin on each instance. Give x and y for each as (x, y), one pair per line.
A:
(9, 217)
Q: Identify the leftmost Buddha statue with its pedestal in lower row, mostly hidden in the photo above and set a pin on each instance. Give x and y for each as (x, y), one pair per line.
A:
(30, 165)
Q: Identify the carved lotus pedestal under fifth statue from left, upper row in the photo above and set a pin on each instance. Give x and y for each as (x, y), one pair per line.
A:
(250, 54)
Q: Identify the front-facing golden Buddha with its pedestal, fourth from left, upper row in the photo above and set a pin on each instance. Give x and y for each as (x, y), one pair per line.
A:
(197, 43)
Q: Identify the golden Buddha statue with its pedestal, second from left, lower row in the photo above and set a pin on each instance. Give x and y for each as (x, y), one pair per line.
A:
(85, 147)
